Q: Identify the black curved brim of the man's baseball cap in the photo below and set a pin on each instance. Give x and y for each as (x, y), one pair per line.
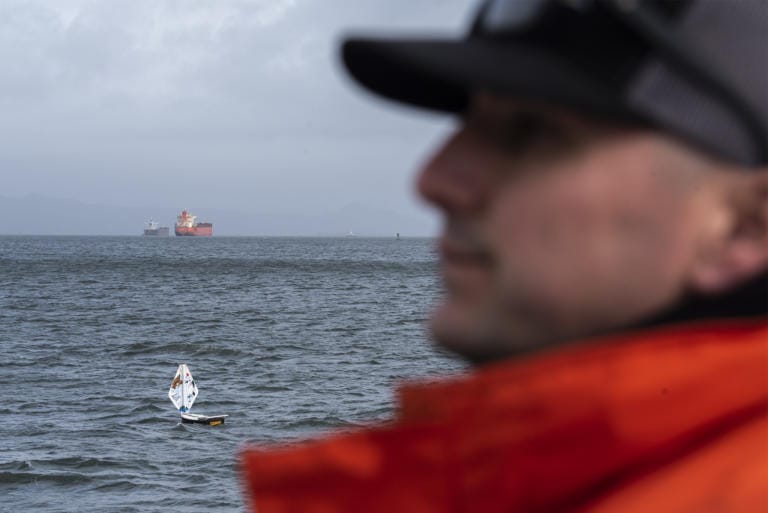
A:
(443, 74)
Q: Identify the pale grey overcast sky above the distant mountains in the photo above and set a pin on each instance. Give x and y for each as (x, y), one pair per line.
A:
(218, 104)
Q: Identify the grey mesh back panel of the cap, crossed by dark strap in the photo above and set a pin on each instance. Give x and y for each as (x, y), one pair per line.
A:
(733, 42)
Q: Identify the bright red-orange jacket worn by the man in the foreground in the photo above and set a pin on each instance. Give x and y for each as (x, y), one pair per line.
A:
(674, 420)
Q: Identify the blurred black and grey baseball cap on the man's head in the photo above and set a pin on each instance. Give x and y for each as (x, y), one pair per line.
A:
(697, 69)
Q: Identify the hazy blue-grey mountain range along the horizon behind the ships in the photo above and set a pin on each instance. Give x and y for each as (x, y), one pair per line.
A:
(41, 215)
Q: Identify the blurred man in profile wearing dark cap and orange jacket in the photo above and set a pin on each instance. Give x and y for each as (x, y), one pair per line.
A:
(605, 262)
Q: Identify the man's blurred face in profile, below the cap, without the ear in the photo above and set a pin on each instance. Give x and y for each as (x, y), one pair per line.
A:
(556, 227)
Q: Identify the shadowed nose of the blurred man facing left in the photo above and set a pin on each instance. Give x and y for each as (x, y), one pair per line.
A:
(457, 177)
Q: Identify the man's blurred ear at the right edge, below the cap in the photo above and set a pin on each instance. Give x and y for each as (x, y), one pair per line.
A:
(741, 250)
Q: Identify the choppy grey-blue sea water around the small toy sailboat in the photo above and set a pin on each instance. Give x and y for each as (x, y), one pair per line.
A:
(291, 337)
